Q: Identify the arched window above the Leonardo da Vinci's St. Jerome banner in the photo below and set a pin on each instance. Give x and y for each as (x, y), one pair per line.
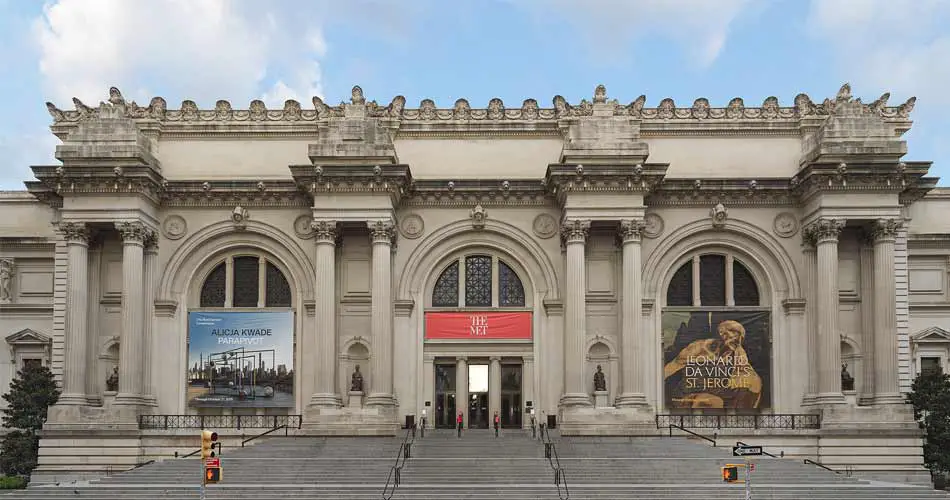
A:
(713, 280)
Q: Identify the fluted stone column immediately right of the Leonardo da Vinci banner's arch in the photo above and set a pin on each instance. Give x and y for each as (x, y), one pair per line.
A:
(826, 232)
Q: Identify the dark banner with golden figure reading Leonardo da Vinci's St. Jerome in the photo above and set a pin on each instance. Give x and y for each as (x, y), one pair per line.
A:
(717, 360)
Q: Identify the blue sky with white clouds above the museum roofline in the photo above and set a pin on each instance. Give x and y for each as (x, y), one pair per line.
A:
(274, 50)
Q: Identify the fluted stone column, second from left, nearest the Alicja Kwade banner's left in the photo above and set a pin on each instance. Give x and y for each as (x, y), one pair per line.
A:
(131, 340)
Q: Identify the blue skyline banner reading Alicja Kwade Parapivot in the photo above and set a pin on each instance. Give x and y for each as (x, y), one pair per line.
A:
(241, 359)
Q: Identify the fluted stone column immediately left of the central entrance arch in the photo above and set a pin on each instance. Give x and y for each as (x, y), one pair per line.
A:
(382, 233)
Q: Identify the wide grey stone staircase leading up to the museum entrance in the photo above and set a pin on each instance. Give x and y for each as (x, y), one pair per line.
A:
(478, 466)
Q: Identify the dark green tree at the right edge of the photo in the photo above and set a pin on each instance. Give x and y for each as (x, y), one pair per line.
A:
(930, 396)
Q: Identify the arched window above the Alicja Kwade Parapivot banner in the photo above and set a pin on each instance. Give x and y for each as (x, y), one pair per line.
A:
(245, 281)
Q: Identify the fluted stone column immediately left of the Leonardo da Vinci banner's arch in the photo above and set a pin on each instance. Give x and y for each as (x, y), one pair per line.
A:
(631, 357)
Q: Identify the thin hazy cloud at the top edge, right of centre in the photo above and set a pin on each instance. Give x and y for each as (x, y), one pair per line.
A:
(700, 26)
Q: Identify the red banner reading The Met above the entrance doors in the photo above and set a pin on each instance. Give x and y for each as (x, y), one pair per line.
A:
(478, 325)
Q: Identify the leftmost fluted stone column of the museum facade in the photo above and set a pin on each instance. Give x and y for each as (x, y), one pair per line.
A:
(76, 235)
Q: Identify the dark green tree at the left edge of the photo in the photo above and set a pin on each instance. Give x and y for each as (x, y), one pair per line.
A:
(31, 394)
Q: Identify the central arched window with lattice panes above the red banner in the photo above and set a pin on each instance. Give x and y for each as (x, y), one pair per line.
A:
(485, 281)
